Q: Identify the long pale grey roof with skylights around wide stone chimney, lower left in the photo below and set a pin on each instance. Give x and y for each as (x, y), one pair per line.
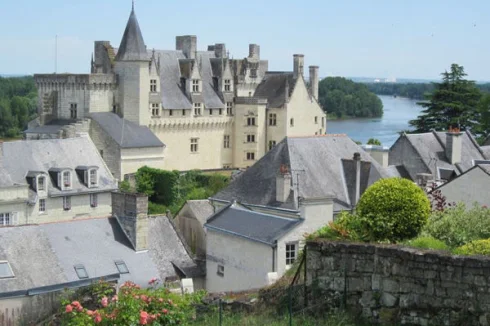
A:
(47, 254)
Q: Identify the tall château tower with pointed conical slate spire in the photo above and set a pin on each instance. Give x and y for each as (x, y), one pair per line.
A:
(132, 64)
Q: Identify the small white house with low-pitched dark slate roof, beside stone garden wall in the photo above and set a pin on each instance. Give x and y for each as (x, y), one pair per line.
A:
(248, 249)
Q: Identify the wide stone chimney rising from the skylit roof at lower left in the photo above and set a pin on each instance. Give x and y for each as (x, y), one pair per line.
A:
(131, 211)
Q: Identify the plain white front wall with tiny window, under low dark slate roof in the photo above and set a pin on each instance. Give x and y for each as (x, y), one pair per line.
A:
(246, 263)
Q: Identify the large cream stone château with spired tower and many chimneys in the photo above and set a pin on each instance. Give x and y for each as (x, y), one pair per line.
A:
(207, 110)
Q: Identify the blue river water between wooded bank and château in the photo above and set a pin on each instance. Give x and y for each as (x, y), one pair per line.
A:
(397, 112)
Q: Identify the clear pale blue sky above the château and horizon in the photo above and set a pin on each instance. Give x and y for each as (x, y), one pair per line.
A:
(376, 38)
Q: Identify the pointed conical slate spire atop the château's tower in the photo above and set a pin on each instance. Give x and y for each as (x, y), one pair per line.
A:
(132, 46)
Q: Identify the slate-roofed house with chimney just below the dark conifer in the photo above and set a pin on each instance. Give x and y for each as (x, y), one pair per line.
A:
(438, 156)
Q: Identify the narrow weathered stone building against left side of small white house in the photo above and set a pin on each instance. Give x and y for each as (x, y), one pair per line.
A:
(190, 221)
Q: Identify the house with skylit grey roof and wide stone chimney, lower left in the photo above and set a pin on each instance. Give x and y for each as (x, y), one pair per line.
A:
(55, 256)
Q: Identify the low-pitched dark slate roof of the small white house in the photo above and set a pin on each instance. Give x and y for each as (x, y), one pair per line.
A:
(240, 221)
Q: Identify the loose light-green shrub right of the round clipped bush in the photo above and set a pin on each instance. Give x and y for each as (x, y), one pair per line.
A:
(457, 226)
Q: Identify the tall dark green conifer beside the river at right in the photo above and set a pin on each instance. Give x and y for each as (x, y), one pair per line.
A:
(452, 104)
